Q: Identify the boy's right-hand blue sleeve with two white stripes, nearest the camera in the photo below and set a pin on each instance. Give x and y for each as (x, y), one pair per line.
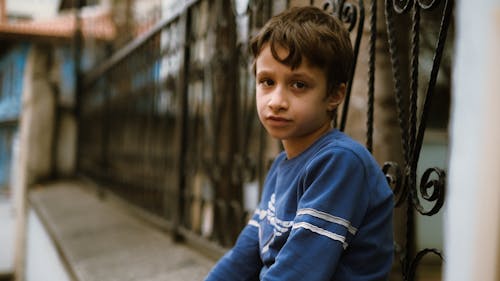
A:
(329, 213)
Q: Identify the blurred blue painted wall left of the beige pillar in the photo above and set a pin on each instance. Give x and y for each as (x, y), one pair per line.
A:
(12, 65)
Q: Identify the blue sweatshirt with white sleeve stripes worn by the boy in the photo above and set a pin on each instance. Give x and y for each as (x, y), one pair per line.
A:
(325, 214)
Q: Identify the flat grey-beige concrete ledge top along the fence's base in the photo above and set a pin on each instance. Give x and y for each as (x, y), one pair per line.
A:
(99, 241)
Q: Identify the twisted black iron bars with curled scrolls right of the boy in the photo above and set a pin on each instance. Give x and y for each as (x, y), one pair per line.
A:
(404, 180)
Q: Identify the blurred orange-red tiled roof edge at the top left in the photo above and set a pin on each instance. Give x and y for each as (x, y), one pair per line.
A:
(98, 25)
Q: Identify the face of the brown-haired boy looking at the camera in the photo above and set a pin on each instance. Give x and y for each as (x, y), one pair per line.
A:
(292, 105)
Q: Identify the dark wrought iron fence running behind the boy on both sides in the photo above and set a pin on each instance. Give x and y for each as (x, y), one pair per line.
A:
(168, 122)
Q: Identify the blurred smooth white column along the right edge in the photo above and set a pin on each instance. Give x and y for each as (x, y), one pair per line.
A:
(472, 224)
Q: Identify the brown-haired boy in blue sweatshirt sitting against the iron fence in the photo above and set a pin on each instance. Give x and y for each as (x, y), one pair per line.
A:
(326, 208)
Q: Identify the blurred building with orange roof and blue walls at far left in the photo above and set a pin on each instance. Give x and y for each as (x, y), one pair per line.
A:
(38, 82)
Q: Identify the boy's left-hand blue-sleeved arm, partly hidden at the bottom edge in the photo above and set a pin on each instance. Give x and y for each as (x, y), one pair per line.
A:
(242, 262)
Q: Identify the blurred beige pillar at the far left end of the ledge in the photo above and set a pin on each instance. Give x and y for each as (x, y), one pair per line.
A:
(36, 127)
